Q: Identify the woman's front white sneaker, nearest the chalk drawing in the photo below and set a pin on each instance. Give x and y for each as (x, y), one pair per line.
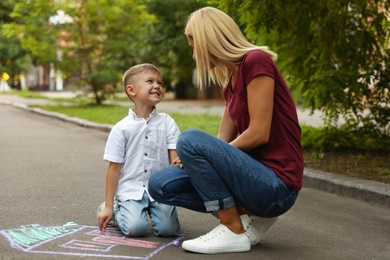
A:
(219, 240)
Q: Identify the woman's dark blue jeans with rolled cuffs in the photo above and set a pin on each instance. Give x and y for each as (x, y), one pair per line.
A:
(216, 176)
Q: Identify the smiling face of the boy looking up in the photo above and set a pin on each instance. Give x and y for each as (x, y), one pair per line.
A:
(146, 88)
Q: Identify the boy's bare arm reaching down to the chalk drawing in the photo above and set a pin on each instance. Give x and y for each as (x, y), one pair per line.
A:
(112, 178)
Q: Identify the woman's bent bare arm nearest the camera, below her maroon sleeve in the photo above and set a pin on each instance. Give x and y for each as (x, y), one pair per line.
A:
(260, 93)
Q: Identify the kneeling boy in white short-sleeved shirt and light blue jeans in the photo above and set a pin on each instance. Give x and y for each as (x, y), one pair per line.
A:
(139, 145)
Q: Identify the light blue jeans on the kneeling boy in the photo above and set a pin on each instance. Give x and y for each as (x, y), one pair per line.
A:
(132, 220)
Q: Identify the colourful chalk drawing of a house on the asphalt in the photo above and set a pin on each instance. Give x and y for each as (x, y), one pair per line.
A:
(85, 241)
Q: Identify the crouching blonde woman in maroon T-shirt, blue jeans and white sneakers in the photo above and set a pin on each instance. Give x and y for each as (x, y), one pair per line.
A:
(255, 166)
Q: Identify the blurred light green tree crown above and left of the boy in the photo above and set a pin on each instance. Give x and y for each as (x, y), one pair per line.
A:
(96, 40)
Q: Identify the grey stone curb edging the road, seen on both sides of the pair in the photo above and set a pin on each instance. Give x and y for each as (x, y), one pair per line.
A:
(373, 192)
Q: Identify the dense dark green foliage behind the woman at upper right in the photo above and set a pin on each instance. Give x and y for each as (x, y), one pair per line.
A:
(336, 53)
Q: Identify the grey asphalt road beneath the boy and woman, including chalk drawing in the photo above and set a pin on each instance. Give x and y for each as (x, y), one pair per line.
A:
(52, 173)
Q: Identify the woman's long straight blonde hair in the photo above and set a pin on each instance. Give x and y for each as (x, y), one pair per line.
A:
(219, 45)
